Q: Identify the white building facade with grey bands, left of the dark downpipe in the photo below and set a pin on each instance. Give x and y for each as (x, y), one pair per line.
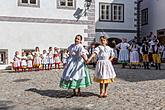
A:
(25, 24)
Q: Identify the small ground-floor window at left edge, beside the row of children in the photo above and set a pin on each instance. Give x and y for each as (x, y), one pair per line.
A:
(3, 56)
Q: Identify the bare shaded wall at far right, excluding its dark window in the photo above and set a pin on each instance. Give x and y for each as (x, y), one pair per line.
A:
(156, 16)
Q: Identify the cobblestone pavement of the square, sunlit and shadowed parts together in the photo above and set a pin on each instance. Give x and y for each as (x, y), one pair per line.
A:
(133, 89)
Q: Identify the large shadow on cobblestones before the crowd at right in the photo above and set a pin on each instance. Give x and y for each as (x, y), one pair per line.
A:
(136, 75)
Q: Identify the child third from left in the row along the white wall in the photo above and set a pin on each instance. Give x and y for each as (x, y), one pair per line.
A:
(30, 61)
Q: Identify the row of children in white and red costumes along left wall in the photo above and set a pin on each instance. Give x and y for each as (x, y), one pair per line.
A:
(28, 61)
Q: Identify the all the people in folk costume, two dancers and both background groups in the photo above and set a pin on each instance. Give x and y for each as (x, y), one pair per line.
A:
(76, 58)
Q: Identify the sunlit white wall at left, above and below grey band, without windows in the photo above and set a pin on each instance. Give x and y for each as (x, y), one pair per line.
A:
(21, 35)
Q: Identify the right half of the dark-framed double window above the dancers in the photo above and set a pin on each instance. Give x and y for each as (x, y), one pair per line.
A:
(117, 12)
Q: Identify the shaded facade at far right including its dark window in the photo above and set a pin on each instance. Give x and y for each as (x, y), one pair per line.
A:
(152, 18)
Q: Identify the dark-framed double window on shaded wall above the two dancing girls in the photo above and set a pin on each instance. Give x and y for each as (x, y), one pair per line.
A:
(111, 12)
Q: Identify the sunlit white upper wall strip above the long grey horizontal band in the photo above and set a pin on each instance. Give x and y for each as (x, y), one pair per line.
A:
(48, 9)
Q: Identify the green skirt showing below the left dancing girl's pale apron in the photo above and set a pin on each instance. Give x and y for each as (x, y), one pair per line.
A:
(74, 84)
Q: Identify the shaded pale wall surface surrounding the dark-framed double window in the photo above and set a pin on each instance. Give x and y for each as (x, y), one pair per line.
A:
(128, 23)
